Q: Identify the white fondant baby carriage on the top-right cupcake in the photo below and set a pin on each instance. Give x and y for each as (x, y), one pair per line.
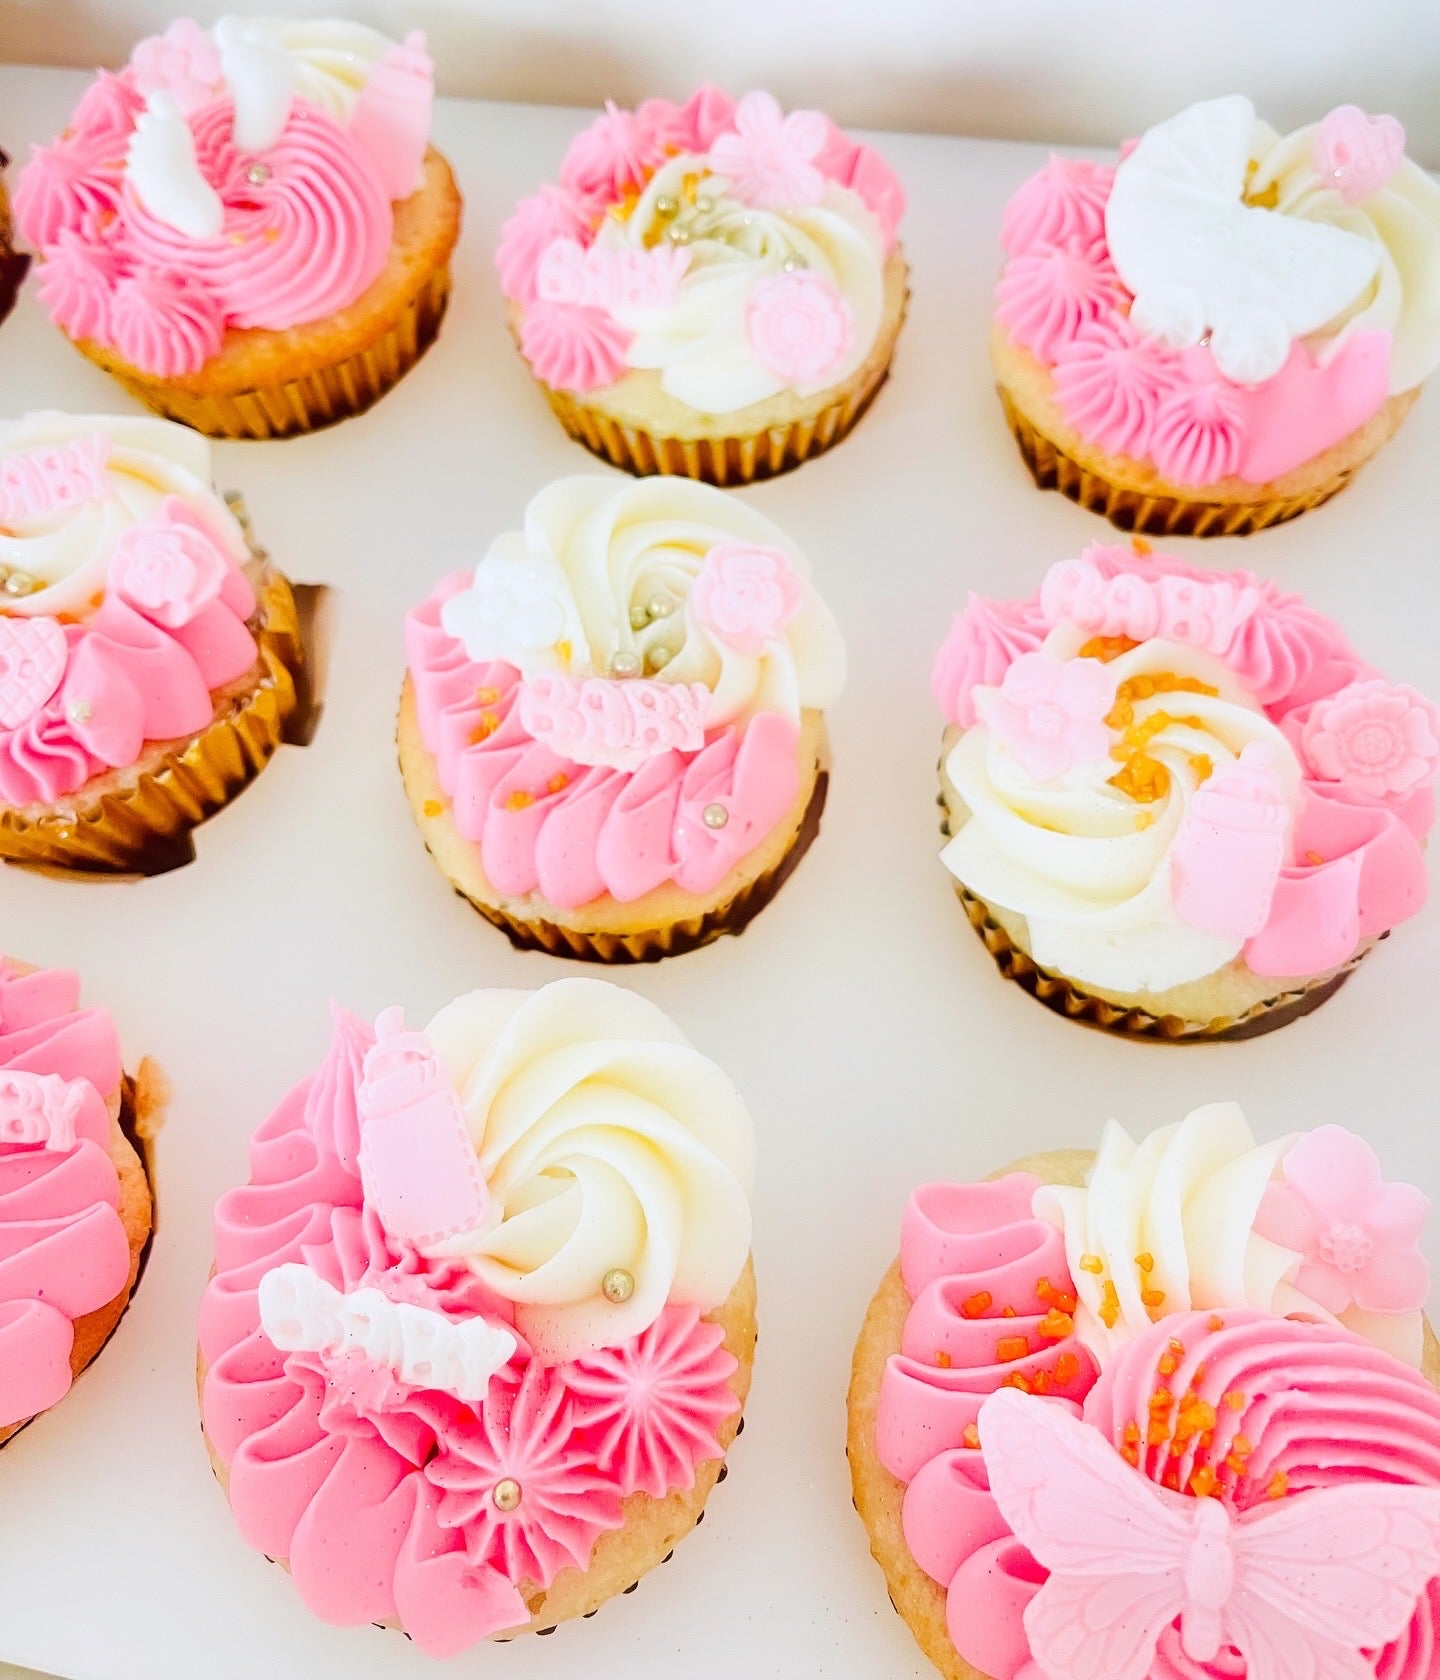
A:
(1197, 258)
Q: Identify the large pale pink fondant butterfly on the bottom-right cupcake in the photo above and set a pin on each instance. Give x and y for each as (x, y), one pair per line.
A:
(1298, 1588)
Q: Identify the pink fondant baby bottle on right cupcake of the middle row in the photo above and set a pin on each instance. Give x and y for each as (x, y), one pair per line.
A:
(1231, 848)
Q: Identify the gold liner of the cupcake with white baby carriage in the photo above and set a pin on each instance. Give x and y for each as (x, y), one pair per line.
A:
(1054, 470)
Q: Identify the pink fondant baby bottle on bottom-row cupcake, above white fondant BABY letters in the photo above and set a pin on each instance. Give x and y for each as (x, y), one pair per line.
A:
(418, 1162)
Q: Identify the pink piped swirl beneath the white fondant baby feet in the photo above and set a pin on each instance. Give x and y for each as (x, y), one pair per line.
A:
(298, 246)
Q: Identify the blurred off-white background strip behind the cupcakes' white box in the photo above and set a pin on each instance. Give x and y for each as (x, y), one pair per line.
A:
(1031, 70)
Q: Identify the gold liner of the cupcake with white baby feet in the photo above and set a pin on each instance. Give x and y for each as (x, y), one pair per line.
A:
(307, 404)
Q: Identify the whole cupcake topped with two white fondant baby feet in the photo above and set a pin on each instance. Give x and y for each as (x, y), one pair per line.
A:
(248, 228)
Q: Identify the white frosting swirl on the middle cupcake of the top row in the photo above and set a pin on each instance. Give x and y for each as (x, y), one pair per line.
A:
(698, 344)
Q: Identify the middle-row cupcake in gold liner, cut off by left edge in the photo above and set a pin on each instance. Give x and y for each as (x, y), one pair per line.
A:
(149, 656)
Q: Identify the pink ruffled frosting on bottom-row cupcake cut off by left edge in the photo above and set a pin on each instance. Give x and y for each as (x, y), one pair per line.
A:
(63, 1246)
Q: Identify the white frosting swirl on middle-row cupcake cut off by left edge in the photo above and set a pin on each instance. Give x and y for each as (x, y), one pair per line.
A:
(68, 550)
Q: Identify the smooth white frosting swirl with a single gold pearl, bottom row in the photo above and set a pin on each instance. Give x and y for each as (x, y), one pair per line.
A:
(607, 1143)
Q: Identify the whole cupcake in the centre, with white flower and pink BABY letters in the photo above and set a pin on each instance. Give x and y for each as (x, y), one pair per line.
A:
(612, 732)
